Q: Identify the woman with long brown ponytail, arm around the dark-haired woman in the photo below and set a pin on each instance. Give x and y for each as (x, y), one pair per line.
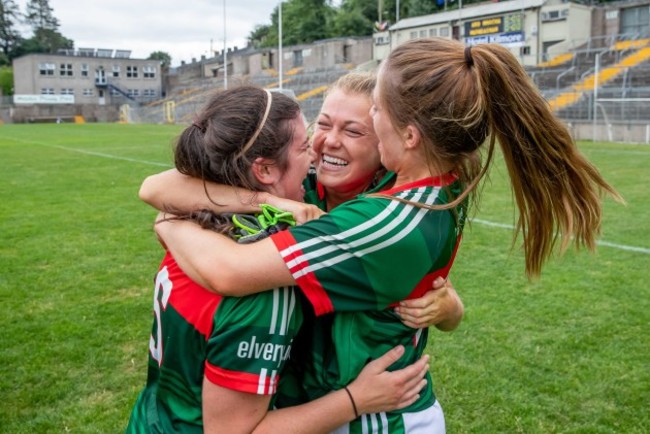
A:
(437, 105)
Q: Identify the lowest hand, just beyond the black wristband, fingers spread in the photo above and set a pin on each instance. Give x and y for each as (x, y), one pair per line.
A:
(377, 390)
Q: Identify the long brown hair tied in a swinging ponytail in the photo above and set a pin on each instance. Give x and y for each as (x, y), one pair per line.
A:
(459, 98)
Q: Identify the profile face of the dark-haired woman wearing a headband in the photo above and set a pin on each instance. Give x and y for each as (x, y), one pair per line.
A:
(299, 157)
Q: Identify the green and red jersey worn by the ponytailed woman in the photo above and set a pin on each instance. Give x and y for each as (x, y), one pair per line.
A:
(357, 262)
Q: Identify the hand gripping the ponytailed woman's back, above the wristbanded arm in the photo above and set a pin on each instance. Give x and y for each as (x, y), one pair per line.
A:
(441, 307)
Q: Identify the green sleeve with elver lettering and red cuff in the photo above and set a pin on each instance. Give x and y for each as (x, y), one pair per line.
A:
(251, 340)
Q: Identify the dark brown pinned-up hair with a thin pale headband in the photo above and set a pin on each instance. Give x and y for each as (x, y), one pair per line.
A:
(226, 137)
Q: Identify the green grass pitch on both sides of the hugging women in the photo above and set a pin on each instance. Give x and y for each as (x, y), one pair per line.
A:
(567, 353)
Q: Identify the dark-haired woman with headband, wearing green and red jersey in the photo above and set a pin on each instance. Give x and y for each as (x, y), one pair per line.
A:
(215, 362)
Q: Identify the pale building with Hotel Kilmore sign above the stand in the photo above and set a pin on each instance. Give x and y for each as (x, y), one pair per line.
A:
(534, 30)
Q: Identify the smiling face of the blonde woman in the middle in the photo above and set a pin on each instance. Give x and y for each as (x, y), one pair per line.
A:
(345, 144)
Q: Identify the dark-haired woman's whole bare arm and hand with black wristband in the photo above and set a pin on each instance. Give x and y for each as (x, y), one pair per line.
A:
(374, 390)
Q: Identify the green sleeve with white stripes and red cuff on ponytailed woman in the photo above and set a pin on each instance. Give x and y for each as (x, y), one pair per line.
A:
(367, 254)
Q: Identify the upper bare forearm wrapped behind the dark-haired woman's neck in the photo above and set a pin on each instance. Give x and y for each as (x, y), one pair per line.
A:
(171, 190)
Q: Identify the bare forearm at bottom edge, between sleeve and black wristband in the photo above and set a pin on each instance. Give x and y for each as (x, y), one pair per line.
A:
(323, 415)
